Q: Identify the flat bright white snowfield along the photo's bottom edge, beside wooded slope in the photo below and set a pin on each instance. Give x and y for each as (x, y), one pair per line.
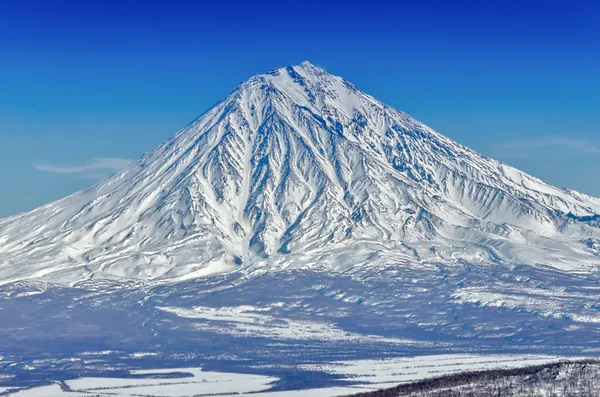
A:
(361, 375)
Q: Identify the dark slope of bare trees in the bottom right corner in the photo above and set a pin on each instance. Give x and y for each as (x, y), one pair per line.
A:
(561, 379)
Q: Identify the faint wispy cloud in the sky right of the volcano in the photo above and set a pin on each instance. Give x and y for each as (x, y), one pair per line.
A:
(574, 146)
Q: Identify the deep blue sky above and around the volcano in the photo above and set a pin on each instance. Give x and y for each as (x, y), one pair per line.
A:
(86, 83)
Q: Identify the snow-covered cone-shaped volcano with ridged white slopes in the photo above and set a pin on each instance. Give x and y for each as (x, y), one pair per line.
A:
(297, 168)
